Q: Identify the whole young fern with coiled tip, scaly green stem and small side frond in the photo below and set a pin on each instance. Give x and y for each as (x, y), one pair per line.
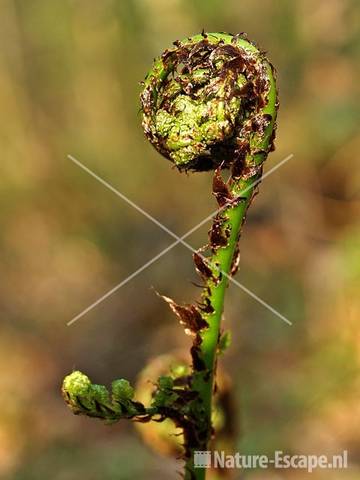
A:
(208, 103)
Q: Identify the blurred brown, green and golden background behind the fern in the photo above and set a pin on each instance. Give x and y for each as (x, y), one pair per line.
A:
(69, 83)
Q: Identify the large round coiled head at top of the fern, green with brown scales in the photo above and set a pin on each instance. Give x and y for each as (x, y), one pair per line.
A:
(198, 97)
